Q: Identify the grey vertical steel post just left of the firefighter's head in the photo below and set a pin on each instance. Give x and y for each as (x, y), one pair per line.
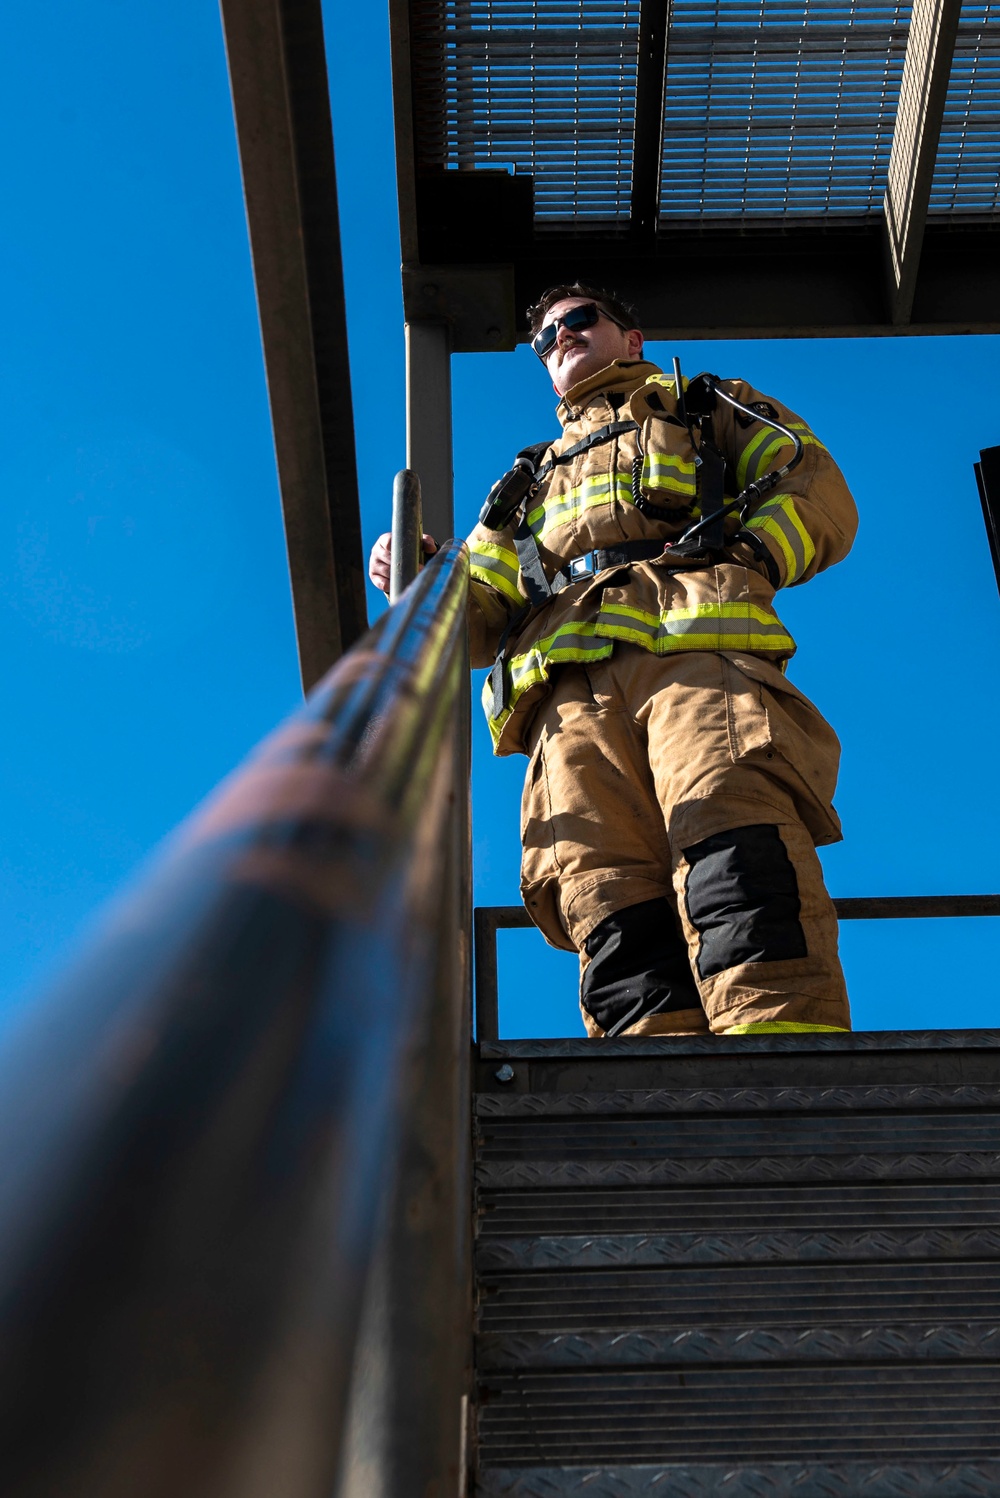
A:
(429, 422)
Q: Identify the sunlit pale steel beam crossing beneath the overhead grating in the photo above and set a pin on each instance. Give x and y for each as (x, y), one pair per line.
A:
(918, 124)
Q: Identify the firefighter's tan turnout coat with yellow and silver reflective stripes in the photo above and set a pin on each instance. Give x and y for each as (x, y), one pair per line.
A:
(808, 524)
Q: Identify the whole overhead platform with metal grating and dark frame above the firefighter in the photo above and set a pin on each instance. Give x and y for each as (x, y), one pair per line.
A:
(839, 157)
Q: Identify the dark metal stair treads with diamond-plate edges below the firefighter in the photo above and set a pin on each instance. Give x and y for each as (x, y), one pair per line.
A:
(737, 1268)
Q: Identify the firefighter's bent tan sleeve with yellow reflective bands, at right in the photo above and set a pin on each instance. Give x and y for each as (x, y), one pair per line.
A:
(809, 521)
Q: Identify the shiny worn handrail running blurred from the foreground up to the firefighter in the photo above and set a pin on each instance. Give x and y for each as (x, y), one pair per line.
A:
(248, 1093)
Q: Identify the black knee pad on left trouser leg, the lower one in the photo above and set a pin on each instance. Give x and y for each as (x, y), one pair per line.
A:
(638, 965)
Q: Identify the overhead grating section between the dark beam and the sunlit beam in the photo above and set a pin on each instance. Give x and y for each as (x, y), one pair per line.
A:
(781, 109)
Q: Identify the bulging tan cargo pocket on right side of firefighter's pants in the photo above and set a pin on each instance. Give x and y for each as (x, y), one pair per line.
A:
(775, 726)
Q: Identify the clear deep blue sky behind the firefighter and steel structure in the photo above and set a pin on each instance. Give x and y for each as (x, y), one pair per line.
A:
(146, 615)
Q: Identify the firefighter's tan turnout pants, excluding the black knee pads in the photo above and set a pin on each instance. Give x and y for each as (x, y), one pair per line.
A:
(640, 759)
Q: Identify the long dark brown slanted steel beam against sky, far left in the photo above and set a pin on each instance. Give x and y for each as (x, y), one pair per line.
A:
(278, 73)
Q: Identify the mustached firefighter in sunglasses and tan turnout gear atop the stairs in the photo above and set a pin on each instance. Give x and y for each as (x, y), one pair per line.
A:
(679, 784)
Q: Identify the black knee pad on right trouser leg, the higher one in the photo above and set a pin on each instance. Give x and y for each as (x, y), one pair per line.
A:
(742, 898)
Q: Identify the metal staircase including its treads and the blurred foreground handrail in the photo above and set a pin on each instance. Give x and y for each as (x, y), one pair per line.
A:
(236, 1181)
